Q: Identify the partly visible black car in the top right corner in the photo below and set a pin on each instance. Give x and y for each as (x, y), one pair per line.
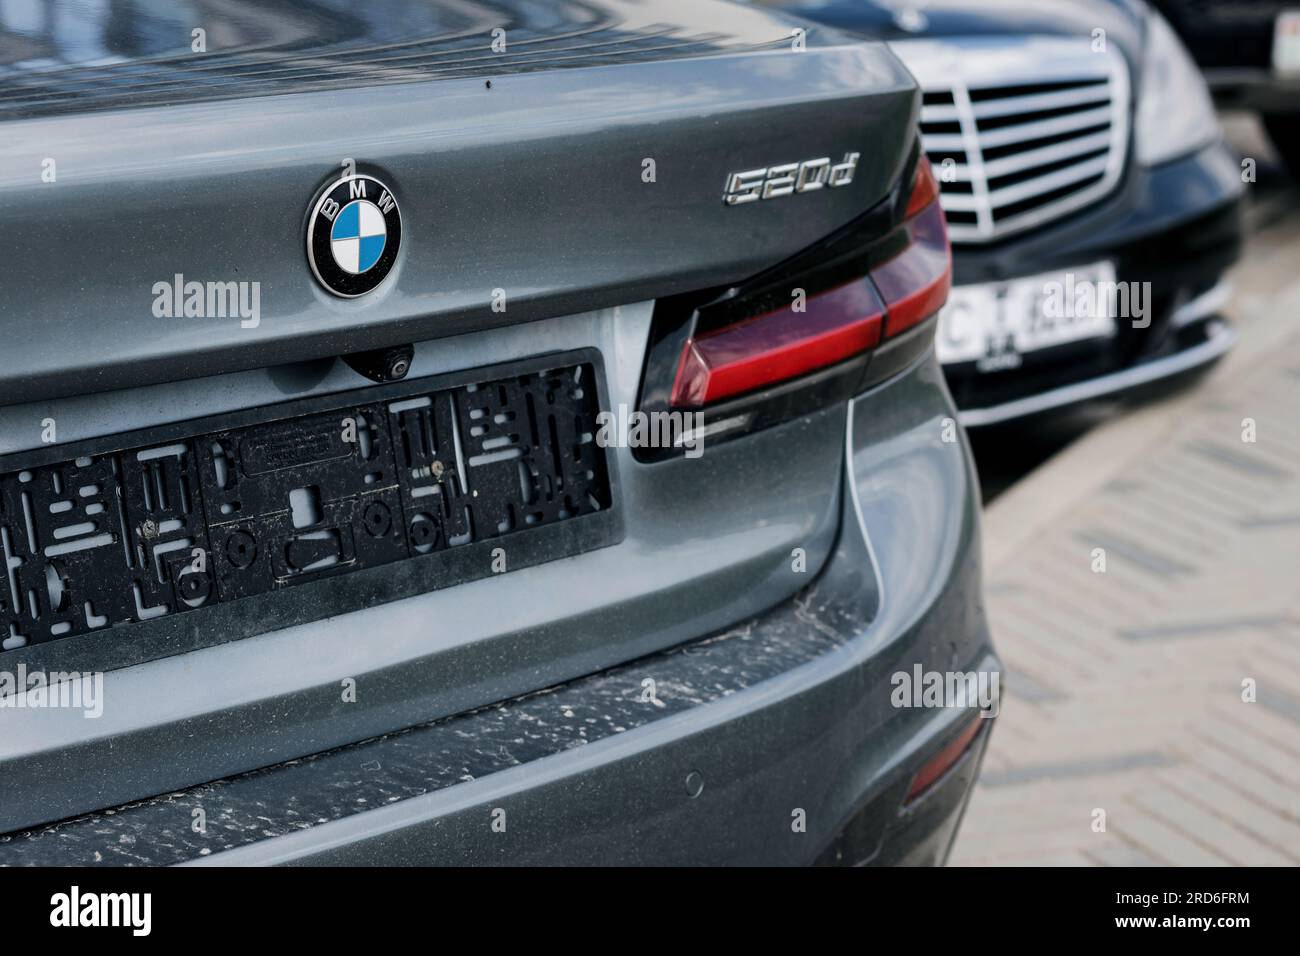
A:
(1250, 53)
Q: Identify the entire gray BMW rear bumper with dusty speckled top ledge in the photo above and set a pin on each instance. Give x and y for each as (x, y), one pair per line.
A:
(786, 719)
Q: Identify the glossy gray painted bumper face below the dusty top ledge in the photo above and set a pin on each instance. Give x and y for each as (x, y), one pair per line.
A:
(824, 737)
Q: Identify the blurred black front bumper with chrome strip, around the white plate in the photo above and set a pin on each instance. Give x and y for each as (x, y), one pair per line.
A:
(1176, 227)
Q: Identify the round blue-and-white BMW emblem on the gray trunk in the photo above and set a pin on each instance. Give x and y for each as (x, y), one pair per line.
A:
(354, 235)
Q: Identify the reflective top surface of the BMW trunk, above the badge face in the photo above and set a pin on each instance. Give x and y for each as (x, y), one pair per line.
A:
(85, 58)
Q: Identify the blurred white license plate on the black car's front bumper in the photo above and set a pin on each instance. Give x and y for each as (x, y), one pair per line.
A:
(995, 325)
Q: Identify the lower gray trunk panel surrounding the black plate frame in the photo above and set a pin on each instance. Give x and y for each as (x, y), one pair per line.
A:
(691, 563)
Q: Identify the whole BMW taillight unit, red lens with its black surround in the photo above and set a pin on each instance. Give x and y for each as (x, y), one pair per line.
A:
(817, 330)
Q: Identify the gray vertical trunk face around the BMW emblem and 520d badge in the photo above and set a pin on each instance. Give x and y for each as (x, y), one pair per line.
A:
(534, 187)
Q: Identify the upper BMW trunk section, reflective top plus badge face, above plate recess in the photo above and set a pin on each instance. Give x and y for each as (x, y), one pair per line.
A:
(544, 163)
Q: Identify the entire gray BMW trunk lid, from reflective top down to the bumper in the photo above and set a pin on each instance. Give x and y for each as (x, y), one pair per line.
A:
(549, 192)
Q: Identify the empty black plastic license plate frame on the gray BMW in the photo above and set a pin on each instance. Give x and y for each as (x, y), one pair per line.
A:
(324, 578)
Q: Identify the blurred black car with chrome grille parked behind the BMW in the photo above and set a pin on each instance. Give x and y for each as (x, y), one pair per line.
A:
(1093, 204)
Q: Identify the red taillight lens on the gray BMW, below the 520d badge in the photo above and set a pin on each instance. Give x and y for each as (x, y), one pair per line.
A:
(834, 326)
